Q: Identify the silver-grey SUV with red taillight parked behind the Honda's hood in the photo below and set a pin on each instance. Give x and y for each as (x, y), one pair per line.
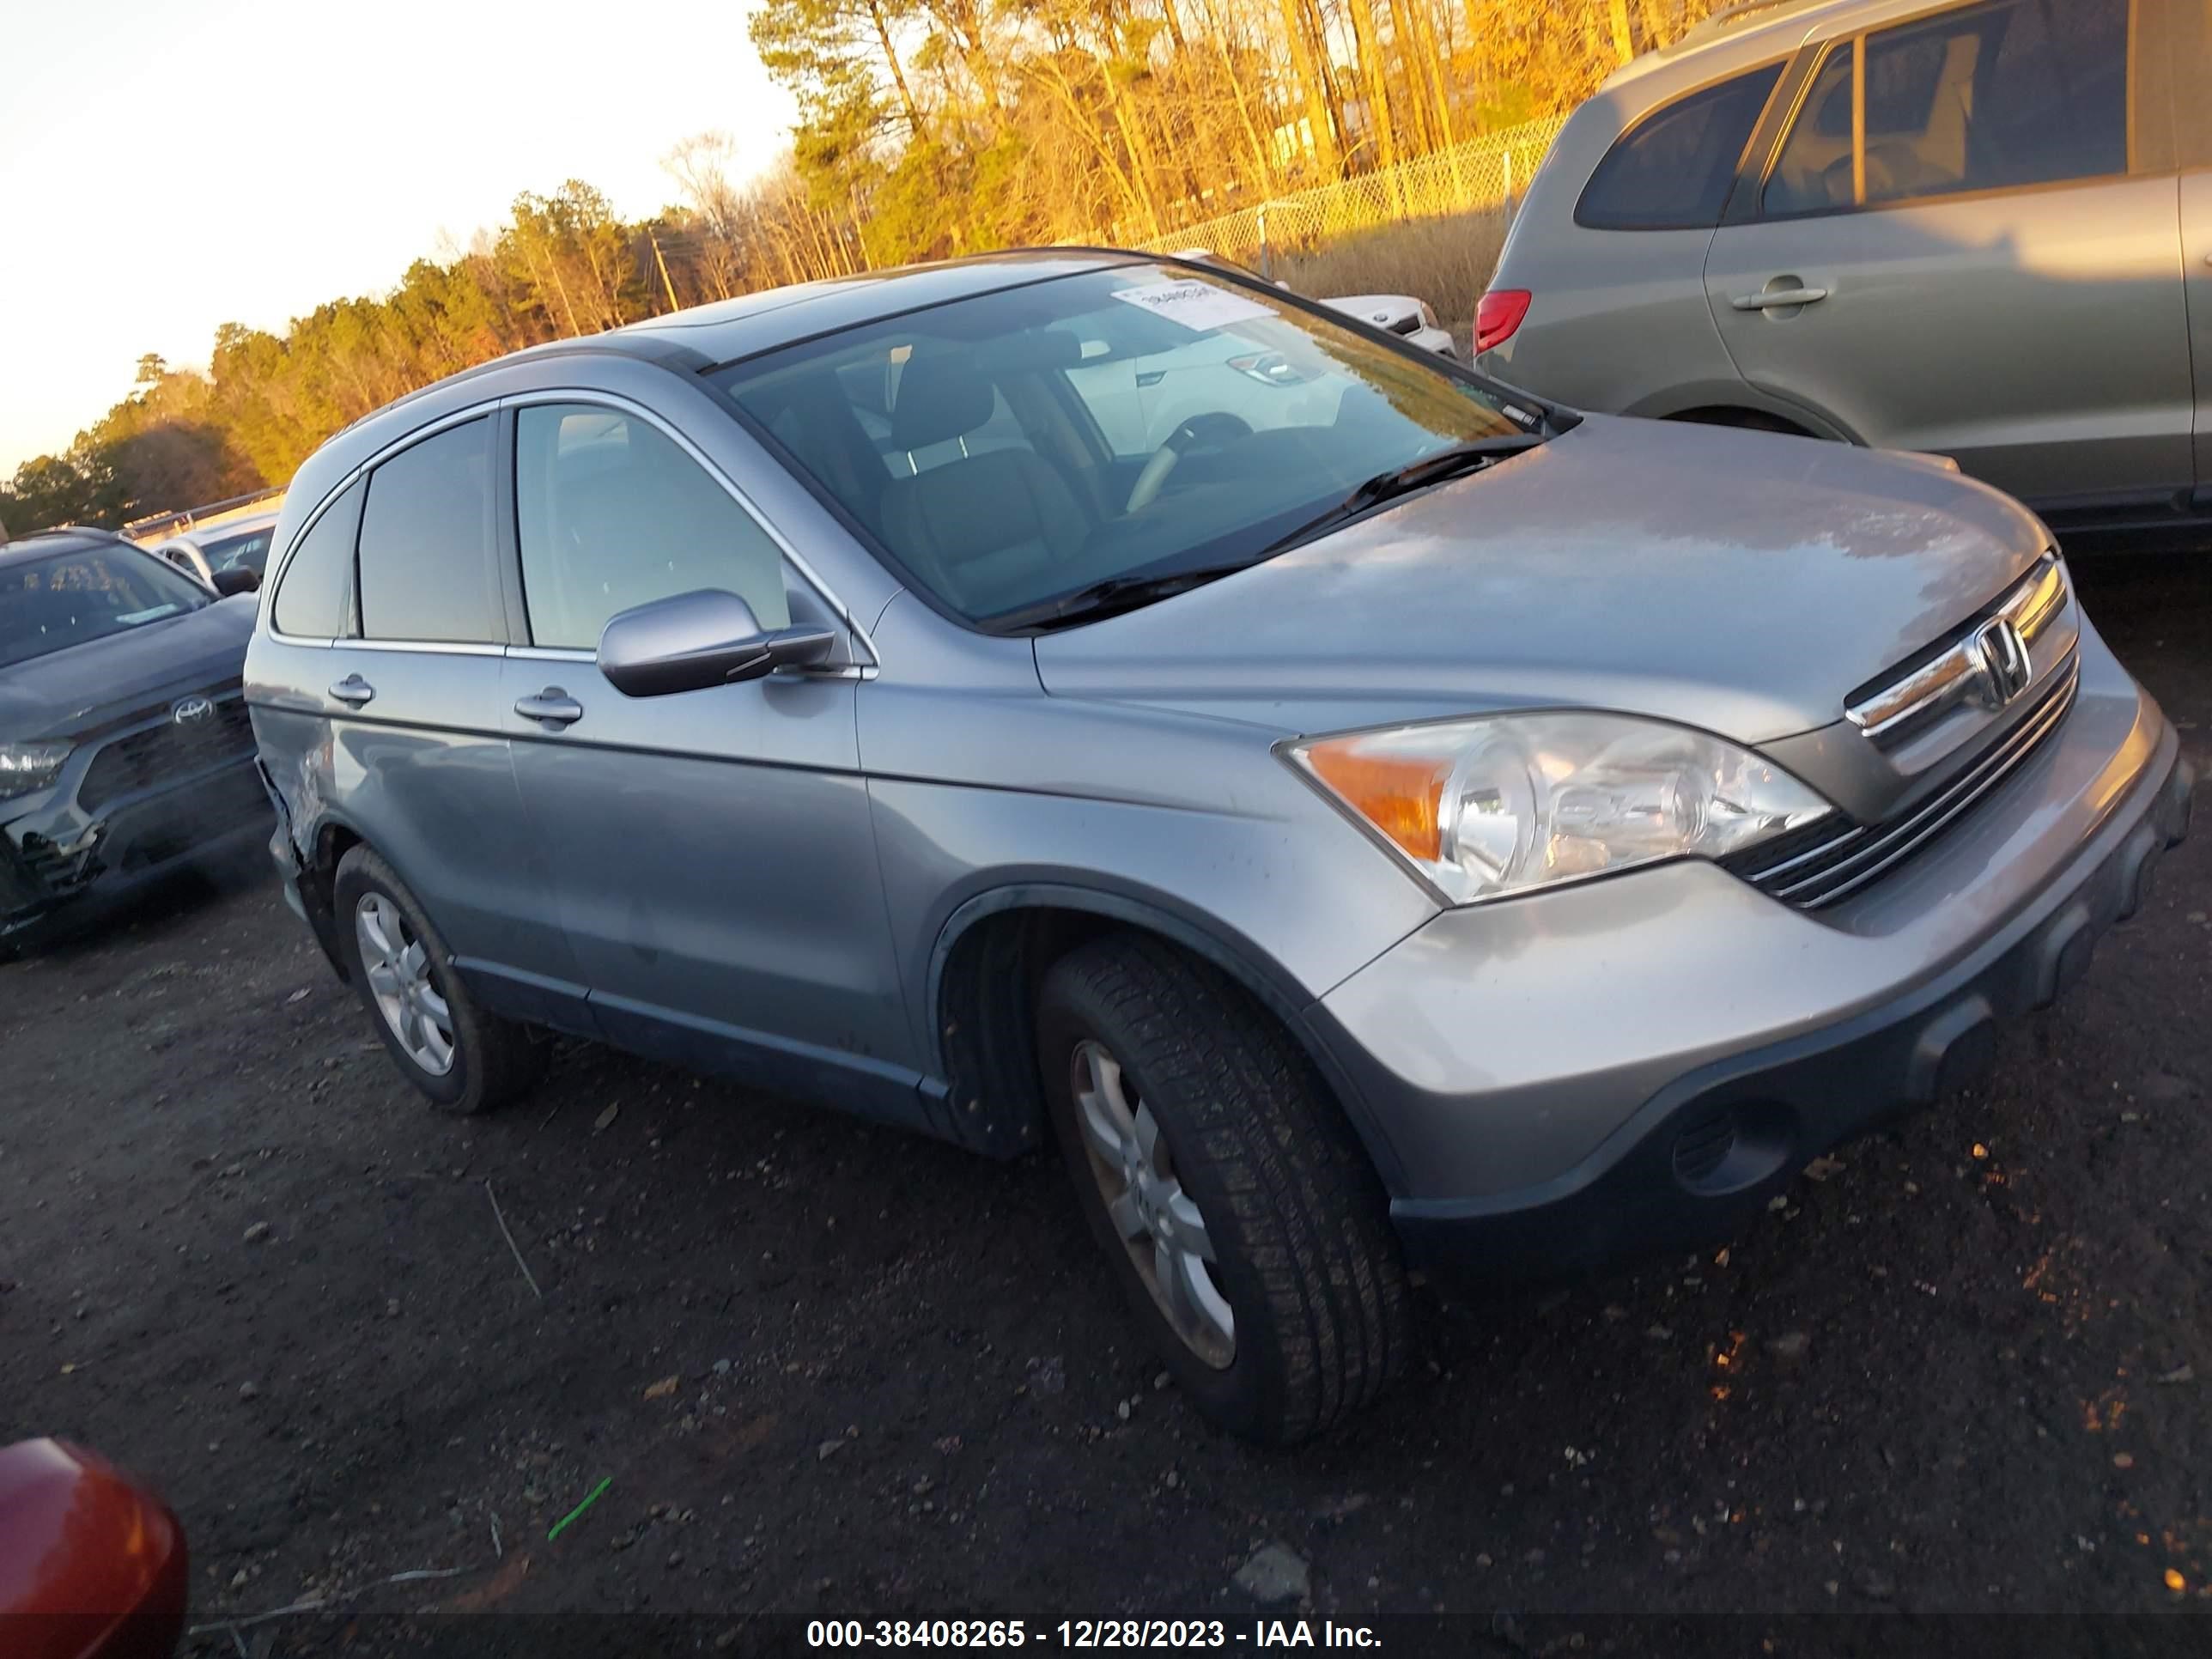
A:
(1976, 229)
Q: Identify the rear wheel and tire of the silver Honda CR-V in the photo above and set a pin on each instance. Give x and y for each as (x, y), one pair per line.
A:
(424, 1012)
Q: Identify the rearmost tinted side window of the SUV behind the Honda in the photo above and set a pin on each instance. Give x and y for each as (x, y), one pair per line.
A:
(1673, 171)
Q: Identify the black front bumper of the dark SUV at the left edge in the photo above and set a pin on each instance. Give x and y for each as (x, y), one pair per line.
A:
(61, 855)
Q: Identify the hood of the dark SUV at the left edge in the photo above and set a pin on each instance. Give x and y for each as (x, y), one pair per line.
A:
(87, 687)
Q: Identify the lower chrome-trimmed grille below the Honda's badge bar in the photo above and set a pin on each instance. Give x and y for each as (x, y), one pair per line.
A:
(1833, 859)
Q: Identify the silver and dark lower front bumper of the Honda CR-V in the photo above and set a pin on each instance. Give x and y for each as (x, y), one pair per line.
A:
(1627, 1067)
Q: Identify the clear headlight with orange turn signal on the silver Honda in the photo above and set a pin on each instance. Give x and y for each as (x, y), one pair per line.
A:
(1514, 802)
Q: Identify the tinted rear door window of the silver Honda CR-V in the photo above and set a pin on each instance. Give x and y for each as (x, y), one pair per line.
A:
(426, 543)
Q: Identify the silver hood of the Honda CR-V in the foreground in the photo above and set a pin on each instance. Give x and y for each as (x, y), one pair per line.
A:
(1733, 581)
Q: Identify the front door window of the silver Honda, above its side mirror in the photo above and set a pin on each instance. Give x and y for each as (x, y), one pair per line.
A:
(614, 514)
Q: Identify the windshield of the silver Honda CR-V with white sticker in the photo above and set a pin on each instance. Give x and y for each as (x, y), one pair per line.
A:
(1114, 426)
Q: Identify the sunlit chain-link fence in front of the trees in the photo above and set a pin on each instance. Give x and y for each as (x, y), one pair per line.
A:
(1483, 174)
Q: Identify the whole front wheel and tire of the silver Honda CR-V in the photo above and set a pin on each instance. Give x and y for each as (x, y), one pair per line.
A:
(1231, 1196)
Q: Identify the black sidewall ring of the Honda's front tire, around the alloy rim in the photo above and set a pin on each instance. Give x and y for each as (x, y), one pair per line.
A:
(1242, 1395)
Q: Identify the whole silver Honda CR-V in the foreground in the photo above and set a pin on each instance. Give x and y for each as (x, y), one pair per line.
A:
(1386, 824)
